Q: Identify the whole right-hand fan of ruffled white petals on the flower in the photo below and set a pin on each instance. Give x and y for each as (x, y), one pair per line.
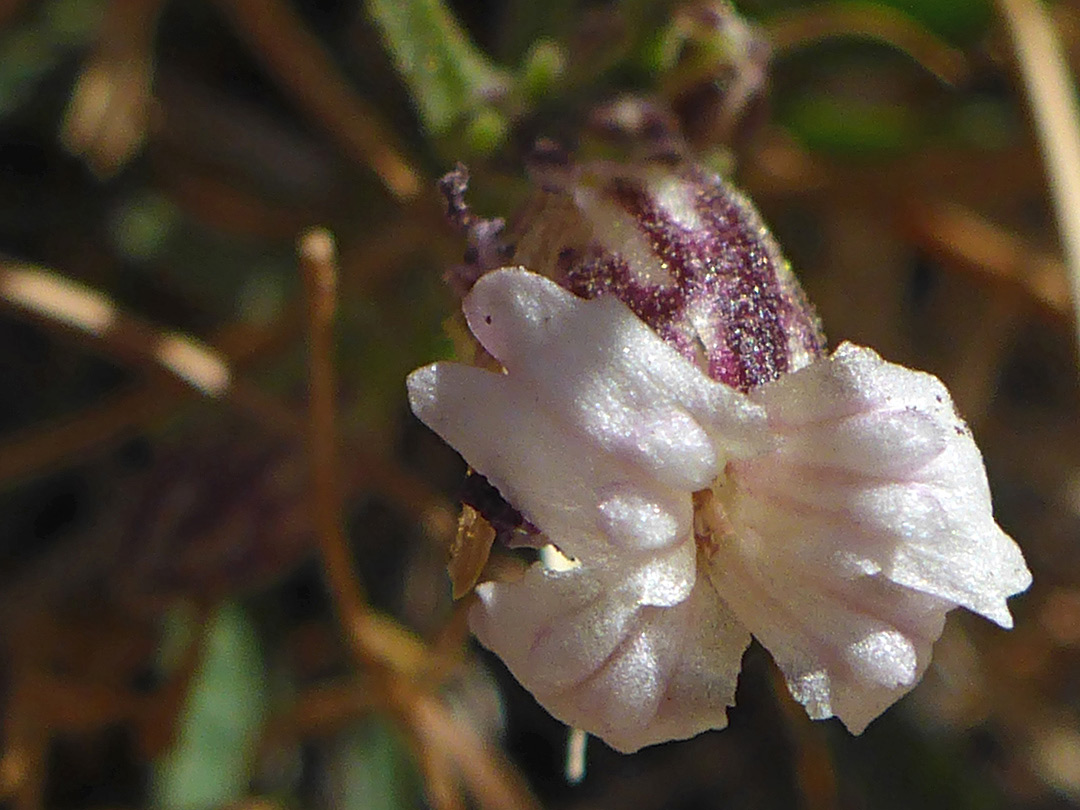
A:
(855, 537)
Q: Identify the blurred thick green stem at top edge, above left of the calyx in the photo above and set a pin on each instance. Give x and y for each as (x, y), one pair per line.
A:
(447, 74)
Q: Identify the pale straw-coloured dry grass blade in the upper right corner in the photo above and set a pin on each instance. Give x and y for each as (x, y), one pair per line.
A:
(1052, 97)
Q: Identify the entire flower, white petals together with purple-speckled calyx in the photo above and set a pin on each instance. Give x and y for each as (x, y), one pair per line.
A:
(669, 420)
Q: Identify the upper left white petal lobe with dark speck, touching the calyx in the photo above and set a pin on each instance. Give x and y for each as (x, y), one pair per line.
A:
(610, 374)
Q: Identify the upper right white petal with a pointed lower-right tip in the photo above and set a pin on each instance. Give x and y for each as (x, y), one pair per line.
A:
(880, 452)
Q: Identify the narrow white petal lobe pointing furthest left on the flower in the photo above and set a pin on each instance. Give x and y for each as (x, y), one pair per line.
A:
(585, 502)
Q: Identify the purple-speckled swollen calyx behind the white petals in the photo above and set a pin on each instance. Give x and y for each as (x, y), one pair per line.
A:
(686, 252)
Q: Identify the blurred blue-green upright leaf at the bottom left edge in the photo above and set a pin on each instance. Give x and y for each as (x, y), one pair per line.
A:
(211, 762)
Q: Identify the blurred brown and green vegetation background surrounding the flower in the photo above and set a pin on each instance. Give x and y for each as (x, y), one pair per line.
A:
(185, 622)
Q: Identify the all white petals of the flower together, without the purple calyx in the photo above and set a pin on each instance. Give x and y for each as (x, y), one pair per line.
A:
(835, 514)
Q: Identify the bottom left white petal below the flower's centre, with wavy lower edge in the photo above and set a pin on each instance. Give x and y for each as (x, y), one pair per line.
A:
(597, 659)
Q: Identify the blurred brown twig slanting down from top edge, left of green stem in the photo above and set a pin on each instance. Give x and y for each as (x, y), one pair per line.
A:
(282, 40)
